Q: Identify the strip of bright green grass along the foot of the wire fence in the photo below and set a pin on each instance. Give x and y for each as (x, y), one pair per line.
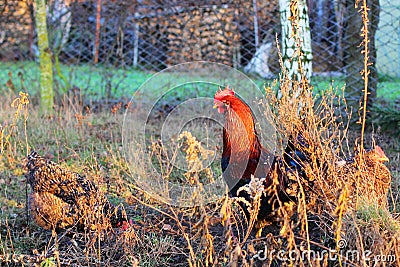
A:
(108, 82)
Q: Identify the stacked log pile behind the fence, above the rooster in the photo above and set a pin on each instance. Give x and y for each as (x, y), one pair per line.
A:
(196, 33)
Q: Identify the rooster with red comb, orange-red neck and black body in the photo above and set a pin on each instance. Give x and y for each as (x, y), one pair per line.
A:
(244, 157)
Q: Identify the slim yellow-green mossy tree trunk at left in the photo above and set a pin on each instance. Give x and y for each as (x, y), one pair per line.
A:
(46, 65)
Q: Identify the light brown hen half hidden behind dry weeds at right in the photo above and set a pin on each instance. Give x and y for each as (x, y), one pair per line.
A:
(367, 175)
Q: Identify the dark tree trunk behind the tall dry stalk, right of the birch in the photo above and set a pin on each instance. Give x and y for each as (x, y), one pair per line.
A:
(354, 59)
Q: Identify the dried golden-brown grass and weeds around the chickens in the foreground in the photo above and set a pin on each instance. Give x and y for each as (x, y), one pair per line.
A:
(324, 219)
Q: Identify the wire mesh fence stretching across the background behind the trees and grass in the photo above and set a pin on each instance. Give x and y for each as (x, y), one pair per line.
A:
(122, 36)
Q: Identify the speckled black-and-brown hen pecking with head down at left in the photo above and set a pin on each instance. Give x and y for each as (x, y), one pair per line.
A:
(61, 199)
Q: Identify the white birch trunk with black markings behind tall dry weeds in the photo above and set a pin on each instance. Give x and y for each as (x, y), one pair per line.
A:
(296, 30)
